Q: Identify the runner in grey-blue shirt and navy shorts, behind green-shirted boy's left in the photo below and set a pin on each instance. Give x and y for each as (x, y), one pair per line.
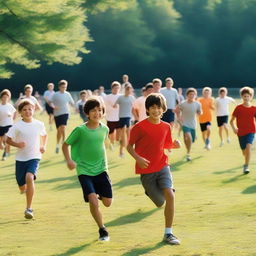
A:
(60, 101)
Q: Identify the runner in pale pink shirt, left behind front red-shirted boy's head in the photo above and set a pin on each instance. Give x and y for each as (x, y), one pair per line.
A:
(139, 109)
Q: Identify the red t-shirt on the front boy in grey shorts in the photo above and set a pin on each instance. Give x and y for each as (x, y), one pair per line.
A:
(150, 141)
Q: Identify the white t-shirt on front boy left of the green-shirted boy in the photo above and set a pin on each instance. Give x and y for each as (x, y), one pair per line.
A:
(30, 134)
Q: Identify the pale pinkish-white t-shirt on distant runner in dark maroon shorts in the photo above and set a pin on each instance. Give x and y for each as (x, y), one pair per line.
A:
(112, 114)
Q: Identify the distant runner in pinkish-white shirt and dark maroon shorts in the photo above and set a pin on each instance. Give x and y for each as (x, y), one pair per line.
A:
(112, 114)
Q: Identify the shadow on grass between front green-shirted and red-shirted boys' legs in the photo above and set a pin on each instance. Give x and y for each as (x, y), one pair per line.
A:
(130, 218)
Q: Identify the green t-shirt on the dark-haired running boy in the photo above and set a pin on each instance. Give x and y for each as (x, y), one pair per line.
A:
(88, 149)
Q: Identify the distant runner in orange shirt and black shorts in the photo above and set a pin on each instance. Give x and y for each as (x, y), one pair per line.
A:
(205, 118)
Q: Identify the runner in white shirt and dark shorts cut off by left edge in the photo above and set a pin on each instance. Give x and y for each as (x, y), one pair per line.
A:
(7, 114)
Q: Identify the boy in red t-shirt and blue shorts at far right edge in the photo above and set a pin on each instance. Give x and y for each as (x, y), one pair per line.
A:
(245, 115)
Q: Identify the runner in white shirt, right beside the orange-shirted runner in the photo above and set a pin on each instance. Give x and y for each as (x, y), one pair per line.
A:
(222, 113)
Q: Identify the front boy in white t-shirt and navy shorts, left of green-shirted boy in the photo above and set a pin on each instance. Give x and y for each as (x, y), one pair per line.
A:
(29, 136)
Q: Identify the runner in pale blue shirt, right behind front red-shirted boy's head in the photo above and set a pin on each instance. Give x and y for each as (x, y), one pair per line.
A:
(172, 100)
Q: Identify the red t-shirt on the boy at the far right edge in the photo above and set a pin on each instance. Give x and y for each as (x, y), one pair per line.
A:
(245, 119)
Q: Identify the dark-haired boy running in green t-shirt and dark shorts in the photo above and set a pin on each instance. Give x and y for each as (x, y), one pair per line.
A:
(88, 156)
